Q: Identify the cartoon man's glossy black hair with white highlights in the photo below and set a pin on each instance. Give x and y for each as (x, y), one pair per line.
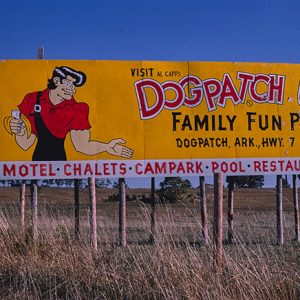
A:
(62, 72)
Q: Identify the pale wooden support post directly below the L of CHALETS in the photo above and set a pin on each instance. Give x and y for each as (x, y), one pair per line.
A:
(93, 213)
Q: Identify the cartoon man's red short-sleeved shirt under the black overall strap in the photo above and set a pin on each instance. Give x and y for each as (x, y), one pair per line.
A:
(59, 119)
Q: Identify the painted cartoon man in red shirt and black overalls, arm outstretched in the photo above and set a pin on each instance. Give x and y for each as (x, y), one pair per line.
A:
(53, 113)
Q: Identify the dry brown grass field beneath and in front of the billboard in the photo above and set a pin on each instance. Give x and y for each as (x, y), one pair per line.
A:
(177, 266)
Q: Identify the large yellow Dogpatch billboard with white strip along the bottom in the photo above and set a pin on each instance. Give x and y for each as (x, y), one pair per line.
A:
(75, 119)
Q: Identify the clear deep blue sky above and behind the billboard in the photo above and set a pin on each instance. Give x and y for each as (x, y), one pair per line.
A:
(155, 30)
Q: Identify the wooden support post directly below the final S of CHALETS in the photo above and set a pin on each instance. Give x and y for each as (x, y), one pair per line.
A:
(122, 213)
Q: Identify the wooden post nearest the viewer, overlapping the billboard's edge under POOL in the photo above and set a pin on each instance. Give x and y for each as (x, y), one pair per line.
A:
(218, 219)
